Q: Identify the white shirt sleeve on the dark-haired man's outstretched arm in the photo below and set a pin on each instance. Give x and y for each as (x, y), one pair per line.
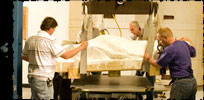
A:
(56, 49)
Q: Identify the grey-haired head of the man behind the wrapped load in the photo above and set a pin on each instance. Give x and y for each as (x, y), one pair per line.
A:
(135, 28)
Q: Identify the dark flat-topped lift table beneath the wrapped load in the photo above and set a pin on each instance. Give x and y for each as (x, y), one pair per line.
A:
(96, 86)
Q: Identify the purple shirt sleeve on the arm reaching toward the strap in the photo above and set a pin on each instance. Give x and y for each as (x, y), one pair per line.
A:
(165, 59)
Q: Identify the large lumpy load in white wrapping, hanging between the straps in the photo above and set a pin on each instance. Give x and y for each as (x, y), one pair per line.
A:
(109, 52)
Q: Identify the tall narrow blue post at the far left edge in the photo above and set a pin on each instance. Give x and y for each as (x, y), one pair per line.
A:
(17, 48)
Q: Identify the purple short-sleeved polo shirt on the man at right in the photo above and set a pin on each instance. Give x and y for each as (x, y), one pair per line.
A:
(178, 57)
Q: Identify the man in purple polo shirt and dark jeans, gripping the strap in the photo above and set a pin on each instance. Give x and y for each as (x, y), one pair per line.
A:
(177, 56)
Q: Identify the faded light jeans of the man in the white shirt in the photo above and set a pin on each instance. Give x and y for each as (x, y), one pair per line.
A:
(39, 89)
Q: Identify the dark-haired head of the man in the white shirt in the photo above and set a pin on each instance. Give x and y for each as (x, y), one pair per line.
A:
(48, 24)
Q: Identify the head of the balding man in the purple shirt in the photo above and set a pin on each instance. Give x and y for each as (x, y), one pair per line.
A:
(165, 36)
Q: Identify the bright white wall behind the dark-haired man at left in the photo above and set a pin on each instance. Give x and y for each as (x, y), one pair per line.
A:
(37, 11)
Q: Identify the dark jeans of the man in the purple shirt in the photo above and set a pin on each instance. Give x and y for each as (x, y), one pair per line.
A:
(184, 89)
